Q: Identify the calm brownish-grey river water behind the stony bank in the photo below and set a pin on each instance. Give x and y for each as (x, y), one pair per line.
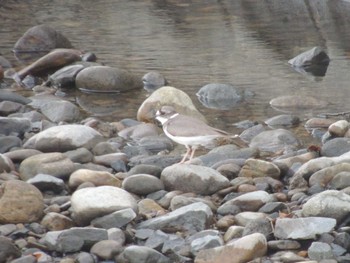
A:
(246, 43)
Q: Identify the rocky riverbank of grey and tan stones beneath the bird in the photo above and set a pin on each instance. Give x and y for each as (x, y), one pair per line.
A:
(77, 189)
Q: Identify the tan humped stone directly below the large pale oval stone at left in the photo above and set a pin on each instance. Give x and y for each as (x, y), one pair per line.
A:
(55, 164)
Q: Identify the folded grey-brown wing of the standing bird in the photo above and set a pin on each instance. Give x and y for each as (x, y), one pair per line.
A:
(194, 127)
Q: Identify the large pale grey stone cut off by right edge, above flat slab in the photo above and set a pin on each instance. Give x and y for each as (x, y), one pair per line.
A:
(330, 203)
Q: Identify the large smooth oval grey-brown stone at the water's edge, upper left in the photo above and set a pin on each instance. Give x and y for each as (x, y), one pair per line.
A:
(106, 79)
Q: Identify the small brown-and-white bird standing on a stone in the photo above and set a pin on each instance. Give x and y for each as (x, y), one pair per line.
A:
(192, 132)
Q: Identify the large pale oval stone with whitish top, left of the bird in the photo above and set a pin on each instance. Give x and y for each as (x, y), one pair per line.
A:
(64, 138)
